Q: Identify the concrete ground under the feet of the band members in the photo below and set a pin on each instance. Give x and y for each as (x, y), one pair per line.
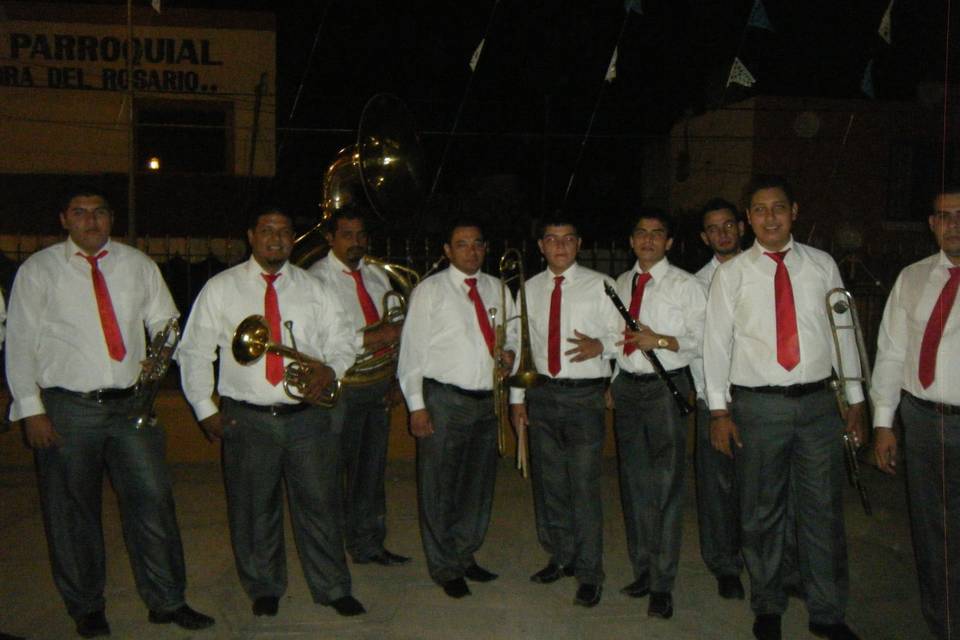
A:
(404, 603)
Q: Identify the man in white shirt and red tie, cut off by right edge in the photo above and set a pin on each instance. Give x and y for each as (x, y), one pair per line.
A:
(918, 351)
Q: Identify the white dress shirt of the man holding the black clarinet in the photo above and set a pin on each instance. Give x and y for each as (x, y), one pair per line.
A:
(674, 304)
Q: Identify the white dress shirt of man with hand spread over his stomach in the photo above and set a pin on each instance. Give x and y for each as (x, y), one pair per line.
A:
(586, 308)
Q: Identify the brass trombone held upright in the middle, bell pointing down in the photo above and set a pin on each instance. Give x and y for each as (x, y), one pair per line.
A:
(526, 376)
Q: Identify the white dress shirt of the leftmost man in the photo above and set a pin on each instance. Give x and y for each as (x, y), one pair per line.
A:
(55, 338)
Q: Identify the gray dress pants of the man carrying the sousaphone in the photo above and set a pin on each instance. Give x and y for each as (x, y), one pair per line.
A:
(361, 418)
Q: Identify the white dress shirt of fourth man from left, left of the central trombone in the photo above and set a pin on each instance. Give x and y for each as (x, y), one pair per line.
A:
(441, 336)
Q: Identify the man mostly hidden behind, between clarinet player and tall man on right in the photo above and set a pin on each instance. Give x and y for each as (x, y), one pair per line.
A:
(717, 510)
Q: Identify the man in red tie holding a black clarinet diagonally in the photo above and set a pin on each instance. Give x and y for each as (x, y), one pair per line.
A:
(668, 304)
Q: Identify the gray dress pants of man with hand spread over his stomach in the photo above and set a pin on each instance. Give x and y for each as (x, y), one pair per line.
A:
(566, 444)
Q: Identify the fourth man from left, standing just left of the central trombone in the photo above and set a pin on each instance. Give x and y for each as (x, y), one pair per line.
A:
(446, 374)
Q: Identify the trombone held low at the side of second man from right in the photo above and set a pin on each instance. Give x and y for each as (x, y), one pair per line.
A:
(840, 302)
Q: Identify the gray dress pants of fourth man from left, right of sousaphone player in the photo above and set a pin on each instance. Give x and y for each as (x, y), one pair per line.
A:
(456, 470)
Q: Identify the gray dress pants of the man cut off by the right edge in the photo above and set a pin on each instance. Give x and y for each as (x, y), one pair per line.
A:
(932, 460)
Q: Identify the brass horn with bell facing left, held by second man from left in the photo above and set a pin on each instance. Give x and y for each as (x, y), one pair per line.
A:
(252, 339)
